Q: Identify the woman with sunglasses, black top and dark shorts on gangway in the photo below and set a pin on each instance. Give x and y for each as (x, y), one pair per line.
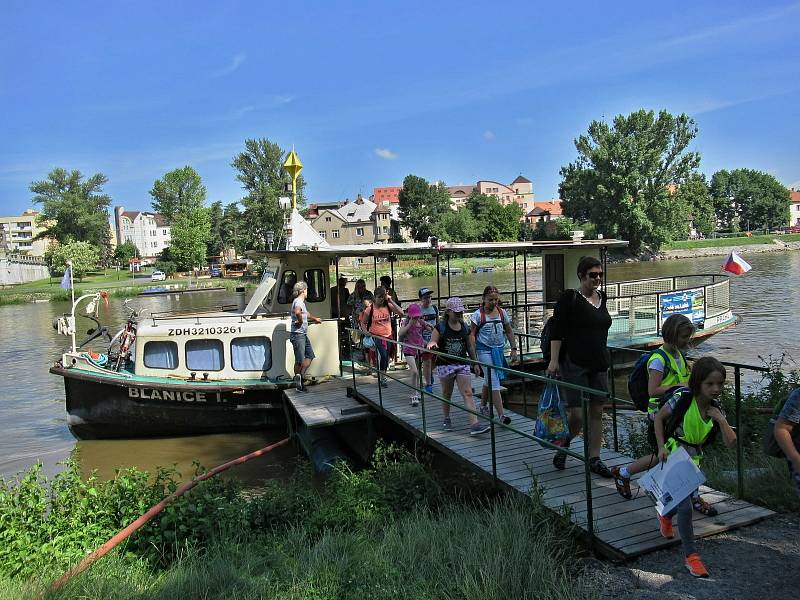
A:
(579, 355)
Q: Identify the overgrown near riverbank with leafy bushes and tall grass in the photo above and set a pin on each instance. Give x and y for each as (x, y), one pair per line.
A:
(393, 530)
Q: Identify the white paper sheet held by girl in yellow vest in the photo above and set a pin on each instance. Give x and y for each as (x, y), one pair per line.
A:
(670, 482)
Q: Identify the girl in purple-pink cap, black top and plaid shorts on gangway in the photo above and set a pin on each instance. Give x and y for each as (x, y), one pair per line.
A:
(451, 336)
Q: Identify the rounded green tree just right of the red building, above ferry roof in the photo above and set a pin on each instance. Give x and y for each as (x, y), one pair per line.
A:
(422, 205)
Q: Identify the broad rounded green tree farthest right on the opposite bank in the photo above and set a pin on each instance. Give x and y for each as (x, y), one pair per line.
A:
(749, 199)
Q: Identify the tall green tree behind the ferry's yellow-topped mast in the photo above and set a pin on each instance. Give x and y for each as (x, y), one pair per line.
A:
(264, 180)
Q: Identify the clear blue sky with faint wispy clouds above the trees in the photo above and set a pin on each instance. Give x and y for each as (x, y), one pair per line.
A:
(369, 92)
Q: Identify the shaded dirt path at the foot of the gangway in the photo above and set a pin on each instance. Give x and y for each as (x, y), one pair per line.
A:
(759, 562)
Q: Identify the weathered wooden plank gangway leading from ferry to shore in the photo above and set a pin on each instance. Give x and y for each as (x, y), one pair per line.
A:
(624, 528)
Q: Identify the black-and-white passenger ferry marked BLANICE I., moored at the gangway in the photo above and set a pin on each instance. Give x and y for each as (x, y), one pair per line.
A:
(205, 372)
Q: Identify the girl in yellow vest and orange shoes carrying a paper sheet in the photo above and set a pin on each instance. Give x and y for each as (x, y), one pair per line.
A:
(690, 419)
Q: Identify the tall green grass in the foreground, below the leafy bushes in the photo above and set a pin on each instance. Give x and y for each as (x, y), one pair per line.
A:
(510, 549)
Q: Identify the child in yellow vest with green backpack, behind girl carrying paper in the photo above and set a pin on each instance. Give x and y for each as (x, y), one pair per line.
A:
(666, 368)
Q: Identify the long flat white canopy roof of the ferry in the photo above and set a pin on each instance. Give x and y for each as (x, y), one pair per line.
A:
(424, 248)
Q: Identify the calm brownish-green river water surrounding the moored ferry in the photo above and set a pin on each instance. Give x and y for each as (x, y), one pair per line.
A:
(32, 401)
